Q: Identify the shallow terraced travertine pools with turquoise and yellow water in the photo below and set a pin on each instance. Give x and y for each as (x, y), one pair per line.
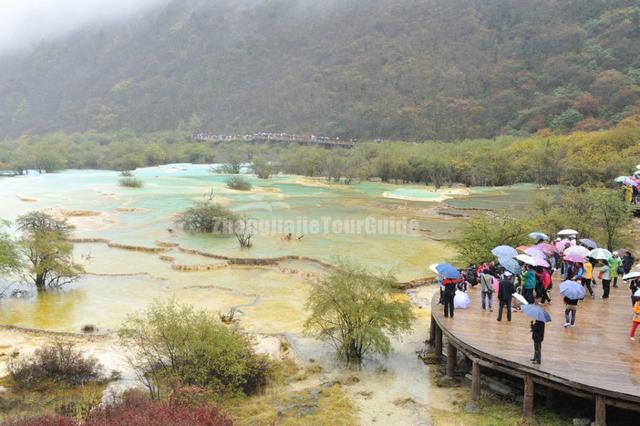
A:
(112, 220)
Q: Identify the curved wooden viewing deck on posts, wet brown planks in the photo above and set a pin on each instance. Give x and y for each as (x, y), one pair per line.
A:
(595, 359)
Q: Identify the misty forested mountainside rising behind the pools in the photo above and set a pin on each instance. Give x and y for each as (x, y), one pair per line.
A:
(402, 69)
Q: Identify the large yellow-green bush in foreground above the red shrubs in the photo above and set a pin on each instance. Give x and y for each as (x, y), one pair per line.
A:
(174, 343)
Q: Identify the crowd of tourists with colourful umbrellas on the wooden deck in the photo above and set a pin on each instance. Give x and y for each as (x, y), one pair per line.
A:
(521, 279)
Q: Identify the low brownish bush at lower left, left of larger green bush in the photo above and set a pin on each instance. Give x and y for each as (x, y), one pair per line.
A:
(58, 363)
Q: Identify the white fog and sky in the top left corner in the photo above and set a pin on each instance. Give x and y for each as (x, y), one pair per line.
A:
(24, 23)
